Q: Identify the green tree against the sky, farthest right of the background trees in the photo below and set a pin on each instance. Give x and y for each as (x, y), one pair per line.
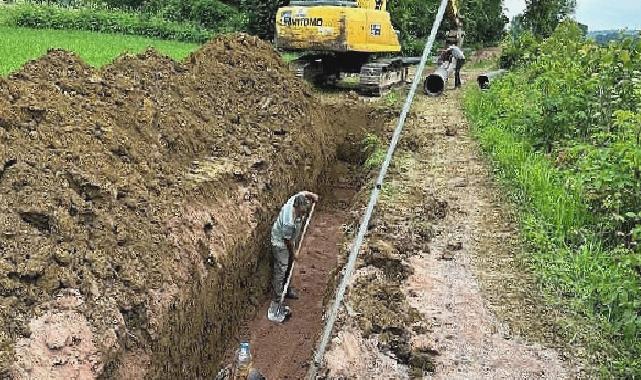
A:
(542, 17)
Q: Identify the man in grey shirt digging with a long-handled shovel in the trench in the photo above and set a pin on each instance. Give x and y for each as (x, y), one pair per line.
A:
(285, 237)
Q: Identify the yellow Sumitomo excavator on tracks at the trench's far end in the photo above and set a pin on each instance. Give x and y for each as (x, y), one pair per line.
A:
(349, 36)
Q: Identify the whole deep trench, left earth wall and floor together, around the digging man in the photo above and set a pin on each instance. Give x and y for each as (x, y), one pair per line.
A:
(206, 324)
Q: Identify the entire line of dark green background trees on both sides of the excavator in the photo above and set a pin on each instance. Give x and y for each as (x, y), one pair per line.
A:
(484, 20)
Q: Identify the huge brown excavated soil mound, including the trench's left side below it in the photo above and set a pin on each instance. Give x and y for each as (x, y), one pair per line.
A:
(135, 204)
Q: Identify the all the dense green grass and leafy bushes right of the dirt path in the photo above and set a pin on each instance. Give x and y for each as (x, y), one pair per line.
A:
(564, 130)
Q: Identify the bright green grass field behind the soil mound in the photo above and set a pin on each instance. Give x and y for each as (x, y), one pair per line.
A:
(19, 45)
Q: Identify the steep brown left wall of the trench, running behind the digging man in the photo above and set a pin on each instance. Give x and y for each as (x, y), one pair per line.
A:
(204, 323)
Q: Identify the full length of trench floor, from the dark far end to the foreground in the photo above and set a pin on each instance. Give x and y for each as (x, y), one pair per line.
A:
(284, 351)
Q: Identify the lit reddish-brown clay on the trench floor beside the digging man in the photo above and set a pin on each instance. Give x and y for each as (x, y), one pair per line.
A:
(283, 351)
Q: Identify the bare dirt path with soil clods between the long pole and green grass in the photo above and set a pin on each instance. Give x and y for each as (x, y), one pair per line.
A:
(440, 291)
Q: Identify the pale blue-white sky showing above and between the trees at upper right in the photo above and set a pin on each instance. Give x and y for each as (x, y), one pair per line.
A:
(597, 14)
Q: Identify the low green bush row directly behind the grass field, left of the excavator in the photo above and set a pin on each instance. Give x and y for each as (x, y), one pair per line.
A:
(109, 21)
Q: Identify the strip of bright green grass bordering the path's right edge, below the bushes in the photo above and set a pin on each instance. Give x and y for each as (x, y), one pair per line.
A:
(595, 284)
